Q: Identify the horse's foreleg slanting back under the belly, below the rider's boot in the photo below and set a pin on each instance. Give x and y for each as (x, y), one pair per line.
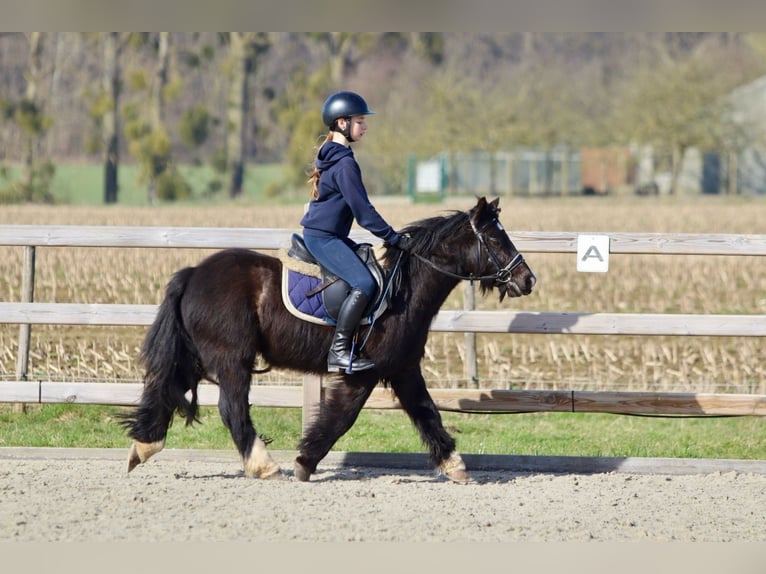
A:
(339, 411)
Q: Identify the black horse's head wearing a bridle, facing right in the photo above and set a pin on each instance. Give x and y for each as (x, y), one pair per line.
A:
(499, 264)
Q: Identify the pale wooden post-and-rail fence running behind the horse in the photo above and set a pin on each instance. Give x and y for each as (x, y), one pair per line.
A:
(26, 313)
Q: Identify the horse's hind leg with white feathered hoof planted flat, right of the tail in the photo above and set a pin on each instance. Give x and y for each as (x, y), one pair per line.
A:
(234, 407)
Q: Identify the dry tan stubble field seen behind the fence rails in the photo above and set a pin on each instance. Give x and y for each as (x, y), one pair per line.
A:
(635, 284)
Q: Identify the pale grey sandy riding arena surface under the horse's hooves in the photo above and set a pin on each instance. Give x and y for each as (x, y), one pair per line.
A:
(184, 497)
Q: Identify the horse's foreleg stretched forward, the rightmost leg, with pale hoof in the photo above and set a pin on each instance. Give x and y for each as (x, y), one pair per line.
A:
(410, 389)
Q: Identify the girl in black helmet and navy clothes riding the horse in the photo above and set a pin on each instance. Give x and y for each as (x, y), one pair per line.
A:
(338, 198)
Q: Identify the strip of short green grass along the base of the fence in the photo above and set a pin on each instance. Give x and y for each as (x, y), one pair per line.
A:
(549, 434)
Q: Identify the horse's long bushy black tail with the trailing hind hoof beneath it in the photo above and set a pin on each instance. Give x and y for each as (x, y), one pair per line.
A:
(172, 368)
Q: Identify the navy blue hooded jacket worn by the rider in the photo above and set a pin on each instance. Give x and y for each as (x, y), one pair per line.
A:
(342, 198)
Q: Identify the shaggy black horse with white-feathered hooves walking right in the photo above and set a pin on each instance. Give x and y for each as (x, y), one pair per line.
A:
(218, 317)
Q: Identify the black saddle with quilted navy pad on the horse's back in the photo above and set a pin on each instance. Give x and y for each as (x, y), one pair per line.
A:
(313, 292)
